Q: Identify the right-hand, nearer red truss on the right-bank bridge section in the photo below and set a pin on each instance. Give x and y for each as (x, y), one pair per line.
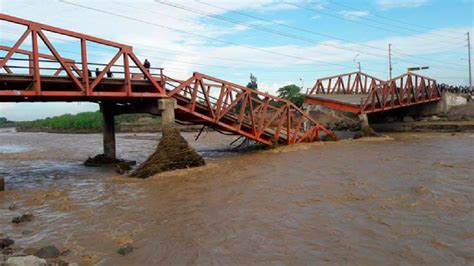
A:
(404, 90)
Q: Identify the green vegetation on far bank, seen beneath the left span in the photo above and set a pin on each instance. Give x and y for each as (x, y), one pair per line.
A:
(87, 121)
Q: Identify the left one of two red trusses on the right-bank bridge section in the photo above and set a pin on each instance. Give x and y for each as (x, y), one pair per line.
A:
(350, 83)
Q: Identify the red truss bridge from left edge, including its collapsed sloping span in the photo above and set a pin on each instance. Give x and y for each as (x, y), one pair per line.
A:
(36, 71)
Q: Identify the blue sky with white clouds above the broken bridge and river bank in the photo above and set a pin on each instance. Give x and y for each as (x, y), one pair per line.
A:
(280, 42)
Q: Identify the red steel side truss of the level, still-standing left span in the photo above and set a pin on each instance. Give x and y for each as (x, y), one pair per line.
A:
(80, 77)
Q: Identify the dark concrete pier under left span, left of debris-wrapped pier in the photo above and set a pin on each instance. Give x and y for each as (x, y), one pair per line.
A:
(108, 124)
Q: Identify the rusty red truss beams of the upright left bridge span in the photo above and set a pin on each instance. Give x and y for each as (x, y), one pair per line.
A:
(79, 77)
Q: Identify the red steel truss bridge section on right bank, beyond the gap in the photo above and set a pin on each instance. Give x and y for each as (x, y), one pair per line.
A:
(362, 94)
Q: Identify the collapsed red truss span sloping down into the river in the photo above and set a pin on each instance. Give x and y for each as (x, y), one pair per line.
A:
(254, 114)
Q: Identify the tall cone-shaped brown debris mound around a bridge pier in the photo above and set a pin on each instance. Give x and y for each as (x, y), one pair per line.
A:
(173, 152)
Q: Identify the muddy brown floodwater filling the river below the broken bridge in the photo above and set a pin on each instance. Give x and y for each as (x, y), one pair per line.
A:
(403, 199)
